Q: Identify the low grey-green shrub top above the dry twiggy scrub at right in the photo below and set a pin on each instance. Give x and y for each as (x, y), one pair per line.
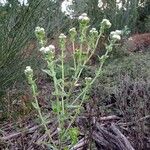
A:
(136, 66)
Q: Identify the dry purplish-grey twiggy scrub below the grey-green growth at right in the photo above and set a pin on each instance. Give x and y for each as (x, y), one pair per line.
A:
(128, 99)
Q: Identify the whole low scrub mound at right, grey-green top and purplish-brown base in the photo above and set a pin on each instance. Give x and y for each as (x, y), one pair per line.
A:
(123, 90)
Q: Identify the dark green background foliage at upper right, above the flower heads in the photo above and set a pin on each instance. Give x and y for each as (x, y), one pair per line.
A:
(128, 15)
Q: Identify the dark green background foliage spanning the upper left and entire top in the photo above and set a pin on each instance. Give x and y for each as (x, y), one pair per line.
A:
(18, 22)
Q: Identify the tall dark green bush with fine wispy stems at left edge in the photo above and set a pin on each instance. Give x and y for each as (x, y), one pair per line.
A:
(15, 33)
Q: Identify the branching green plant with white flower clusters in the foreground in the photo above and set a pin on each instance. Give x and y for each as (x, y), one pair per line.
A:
(69, 94)
